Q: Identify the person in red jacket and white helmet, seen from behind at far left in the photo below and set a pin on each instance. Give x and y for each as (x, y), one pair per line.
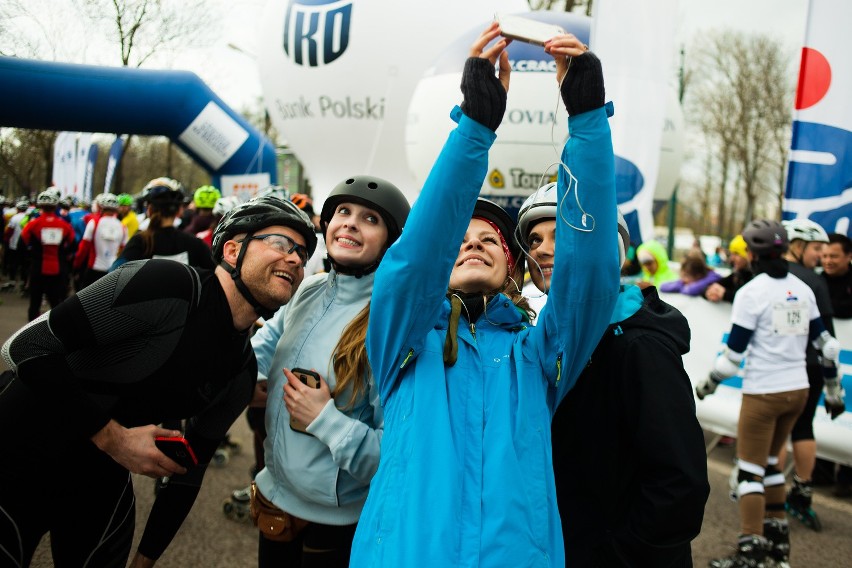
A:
(49, 238)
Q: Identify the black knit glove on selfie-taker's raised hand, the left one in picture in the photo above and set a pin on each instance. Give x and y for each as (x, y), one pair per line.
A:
(484, 95)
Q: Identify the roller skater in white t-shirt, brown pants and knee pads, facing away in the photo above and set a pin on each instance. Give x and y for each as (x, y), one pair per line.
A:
(775, 313)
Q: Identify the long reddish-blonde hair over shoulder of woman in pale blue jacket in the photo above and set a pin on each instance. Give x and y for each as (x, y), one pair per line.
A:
(349, 358)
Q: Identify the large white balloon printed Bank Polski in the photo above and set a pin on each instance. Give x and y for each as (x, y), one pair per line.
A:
(338, 75)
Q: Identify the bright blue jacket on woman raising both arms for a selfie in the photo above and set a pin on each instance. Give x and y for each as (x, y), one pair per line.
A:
(465, 476)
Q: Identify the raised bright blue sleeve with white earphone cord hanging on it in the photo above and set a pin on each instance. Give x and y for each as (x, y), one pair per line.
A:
(586, 277)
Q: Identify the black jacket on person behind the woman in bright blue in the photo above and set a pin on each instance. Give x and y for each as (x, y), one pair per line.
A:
(628, 452)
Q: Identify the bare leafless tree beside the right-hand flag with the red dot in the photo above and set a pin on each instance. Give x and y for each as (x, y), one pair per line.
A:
(742, 96)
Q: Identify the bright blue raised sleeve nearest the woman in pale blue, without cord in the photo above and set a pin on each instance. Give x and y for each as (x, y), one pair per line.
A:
(411, 282)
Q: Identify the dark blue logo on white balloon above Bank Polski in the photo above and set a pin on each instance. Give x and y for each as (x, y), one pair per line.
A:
(316, 32)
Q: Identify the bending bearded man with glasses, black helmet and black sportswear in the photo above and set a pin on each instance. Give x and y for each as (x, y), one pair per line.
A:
(155, 340)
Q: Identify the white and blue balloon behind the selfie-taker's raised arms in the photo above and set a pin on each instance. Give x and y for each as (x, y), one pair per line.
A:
(534, 128)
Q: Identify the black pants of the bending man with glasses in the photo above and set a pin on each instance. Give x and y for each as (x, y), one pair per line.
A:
(69, 489)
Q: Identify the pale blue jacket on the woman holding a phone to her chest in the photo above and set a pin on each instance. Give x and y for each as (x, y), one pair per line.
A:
(324, 477)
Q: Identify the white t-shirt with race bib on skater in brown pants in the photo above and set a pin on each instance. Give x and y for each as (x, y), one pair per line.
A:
(779, 312)
